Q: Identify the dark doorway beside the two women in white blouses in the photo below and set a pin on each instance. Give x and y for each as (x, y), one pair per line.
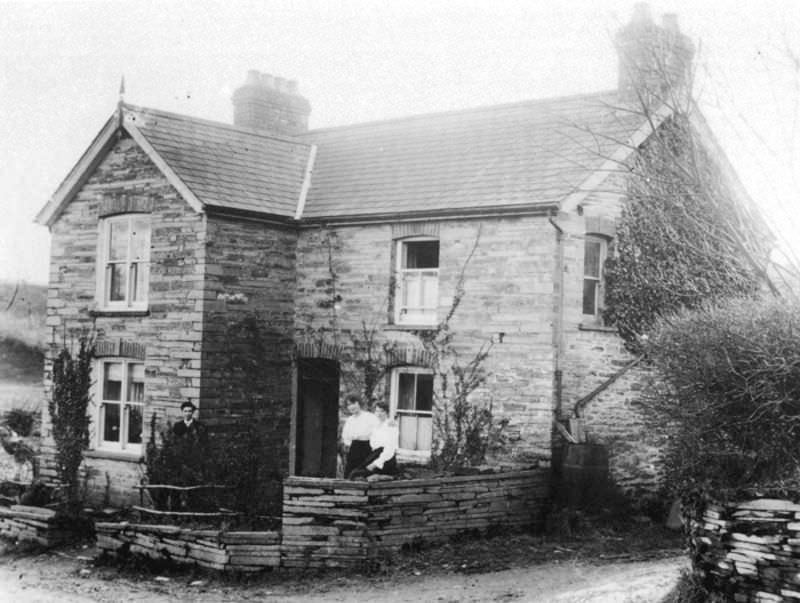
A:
(317, 417)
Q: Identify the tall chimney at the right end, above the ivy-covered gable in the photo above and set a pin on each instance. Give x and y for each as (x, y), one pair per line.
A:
(653, 59)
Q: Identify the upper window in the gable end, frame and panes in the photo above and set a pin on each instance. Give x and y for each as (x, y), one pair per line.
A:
(124, 266)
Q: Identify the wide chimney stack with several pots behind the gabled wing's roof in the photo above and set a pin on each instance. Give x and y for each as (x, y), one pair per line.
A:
(270, 103)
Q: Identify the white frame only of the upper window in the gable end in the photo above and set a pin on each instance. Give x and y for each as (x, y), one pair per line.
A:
(138, 280)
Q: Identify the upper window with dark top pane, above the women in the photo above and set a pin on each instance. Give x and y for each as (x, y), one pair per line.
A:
(418, 281)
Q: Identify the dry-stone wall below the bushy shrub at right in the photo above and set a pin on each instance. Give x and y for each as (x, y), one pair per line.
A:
(749, 551)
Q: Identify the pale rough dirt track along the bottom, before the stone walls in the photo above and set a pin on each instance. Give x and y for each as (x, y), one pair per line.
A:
(638, 564)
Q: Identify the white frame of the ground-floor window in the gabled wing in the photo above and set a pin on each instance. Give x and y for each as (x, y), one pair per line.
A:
(121, 446)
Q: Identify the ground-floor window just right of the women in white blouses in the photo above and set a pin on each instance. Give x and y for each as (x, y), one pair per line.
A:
(412, 406)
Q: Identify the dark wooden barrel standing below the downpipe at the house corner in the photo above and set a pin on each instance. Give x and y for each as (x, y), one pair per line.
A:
(585, 479)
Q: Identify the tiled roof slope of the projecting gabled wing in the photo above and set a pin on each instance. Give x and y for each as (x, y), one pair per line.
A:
(225, 166)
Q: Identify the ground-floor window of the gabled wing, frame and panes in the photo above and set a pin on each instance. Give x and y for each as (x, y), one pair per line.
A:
(120, 405)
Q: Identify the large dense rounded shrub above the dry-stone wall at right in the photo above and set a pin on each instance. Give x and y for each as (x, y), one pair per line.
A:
(731, 395)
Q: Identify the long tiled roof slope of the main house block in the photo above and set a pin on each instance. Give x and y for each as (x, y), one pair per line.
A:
(523, 154)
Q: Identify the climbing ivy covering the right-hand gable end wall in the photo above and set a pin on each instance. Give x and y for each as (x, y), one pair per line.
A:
(682, 237)
